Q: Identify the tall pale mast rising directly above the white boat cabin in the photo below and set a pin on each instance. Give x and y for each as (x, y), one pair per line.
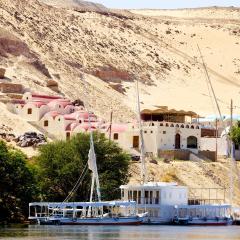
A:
(142, 156)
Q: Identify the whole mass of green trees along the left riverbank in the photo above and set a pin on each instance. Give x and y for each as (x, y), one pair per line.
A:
(52, 174)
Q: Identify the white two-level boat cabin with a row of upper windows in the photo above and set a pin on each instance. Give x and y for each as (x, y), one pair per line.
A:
(156, 198)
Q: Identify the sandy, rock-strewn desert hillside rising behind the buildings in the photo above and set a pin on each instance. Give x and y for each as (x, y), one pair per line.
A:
(159, 49)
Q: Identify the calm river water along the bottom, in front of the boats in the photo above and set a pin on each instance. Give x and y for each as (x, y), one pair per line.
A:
(123, 233)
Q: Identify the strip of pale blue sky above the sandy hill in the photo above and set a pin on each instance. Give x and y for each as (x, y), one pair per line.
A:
(166, 3)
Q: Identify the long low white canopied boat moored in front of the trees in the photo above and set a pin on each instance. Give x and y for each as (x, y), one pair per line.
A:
(77, 213)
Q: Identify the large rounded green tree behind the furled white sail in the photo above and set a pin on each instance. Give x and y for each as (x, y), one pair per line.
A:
(61, 163)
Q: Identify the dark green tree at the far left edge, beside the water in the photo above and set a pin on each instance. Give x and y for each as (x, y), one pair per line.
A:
(17, 184)
